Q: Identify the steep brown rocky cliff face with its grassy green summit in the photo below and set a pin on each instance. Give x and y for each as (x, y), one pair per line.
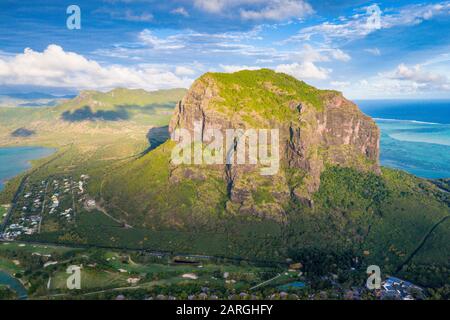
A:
(317, 128)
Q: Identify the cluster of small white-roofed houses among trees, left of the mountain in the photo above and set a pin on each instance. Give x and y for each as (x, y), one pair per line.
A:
(55, 199)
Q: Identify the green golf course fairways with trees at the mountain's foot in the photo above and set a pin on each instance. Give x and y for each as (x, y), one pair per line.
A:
(115, 271)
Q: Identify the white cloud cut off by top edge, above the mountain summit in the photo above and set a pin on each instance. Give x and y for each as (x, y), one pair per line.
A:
(276, 10)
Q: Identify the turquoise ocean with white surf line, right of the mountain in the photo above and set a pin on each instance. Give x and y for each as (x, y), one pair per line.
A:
(415, 135)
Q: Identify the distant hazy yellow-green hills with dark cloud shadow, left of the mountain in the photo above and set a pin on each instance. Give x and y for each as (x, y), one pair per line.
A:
(116, 105)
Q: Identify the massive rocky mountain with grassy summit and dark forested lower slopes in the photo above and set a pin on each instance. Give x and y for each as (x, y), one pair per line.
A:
(330, 204)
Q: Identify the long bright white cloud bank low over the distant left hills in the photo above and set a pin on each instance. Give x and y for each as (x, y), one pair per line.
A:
(57, 68)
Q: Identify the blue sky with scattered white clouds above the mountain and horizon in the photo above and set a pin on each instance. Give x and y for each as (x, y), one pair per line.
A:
(366, 49)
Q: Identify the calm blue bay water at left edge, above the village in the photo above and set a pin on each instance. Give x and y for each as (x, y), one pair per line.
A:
(15, 160)
